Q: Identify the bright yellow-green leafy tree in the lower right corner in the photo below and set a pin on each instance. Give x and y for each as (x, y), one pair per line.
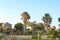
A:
(53, 33)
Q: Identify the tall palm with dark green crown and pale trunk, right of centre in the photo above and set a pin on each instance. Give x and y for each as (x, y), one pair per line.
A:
(47, 20)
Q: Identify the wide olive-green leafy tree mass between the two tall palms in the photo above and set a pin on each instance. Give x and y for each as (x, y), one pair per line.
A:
(36, 26)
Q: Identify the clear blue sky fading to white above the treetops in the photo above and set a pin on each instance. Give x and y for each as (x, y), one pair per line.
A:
(10, 10)
